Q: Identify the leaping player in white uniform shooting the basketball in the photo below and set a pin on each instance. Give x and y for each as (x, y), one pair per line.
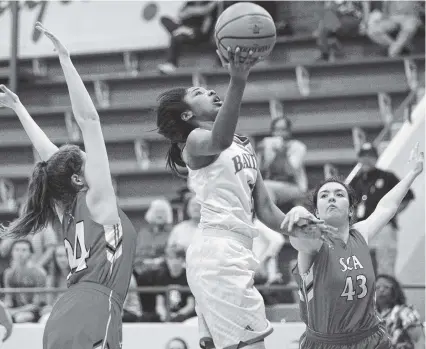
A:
(224, 174)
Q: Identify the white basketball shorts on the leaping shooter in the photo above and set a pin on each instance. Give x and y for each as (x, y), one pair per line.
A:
(220, 271)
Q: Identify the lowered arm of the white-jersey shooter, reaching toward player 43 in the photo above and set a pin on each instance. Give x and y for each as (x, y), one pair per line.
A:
(270, 215)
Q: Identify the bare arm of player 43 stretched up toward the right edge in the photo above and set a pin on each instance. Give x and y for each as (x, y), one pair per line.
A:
(389, 204)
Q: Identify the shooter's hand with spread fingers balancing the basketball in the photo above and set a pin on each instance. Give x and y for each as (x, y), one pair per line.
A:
(237, 65)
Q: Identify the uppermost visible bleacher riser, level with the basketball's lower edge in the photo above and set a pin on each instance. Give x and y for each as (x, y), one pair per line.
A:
(298, 49)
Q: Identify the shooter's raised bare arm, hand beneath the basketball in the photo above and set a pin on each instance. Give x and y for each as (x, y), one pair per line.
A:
(210, 142)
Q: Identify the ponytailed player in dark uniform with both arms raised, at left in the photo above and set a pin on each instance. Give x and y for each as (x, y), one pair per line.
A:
(100, 240)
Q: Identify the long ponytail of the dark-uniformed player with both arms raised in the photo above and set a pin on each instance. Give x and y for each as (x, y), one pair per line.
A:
(37, 208)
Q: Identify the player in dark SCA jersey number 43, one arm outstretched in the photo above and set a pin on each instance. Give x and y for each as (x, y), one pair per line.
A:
(337, 285)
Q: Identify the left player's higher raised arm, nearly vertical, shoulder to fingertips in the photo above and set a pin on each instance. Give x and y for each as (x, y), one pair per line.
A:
(101, 199)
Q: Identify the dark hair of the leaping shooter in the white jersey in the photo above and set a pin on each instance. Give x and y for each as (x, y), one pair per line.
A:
(171, 105)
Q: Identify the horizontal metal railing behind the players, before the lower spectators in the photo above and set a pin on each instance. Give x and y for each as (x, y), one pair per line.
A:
(165, 290)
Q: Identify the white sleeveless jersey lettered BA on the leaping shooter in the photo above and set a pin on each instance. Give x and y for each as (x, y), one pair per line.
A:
(224, 189)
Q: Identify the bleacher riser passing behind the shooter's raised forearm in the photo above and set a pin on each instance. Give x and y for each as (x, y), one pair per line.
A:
(265, 82)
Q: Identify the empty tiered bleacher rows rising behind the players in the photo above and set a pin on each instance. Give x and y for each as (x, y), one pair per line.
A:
(124, 86)
